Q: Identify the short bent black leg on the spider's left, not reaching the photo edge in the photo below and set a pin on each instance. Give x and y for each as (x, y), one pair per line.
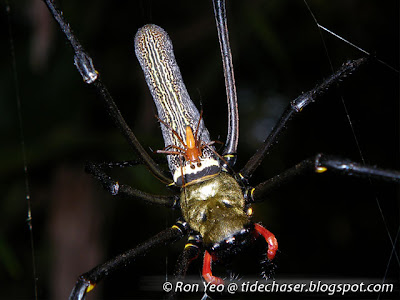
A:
(115, 188)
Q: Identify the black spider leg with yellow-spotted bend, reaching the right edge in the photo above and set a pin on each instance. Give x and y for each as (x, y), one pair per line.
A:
(320, 163)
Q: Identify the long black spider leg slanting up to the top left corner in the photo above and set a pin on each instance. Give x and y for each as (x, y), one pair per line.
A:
(84, 64)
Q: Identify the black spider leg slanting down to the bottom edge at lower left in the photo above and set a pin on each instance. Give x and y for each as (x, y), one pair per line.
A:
(88, 280)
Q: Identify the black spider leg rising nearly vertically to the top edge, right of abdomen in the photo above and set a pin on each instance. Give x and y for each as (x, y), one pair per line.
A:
(232, 138)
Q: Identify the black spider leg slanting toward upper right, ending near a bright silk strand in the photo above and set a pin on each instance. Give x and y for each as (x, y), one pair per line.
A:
(294, 107)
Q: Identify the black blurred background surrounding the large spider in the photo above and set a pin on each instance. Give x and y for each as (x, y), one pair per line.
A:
(327, 226)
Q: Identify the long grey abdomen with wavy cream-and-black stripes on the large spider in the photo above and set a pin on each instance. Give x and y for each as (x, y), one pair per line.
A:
(176, 110)
